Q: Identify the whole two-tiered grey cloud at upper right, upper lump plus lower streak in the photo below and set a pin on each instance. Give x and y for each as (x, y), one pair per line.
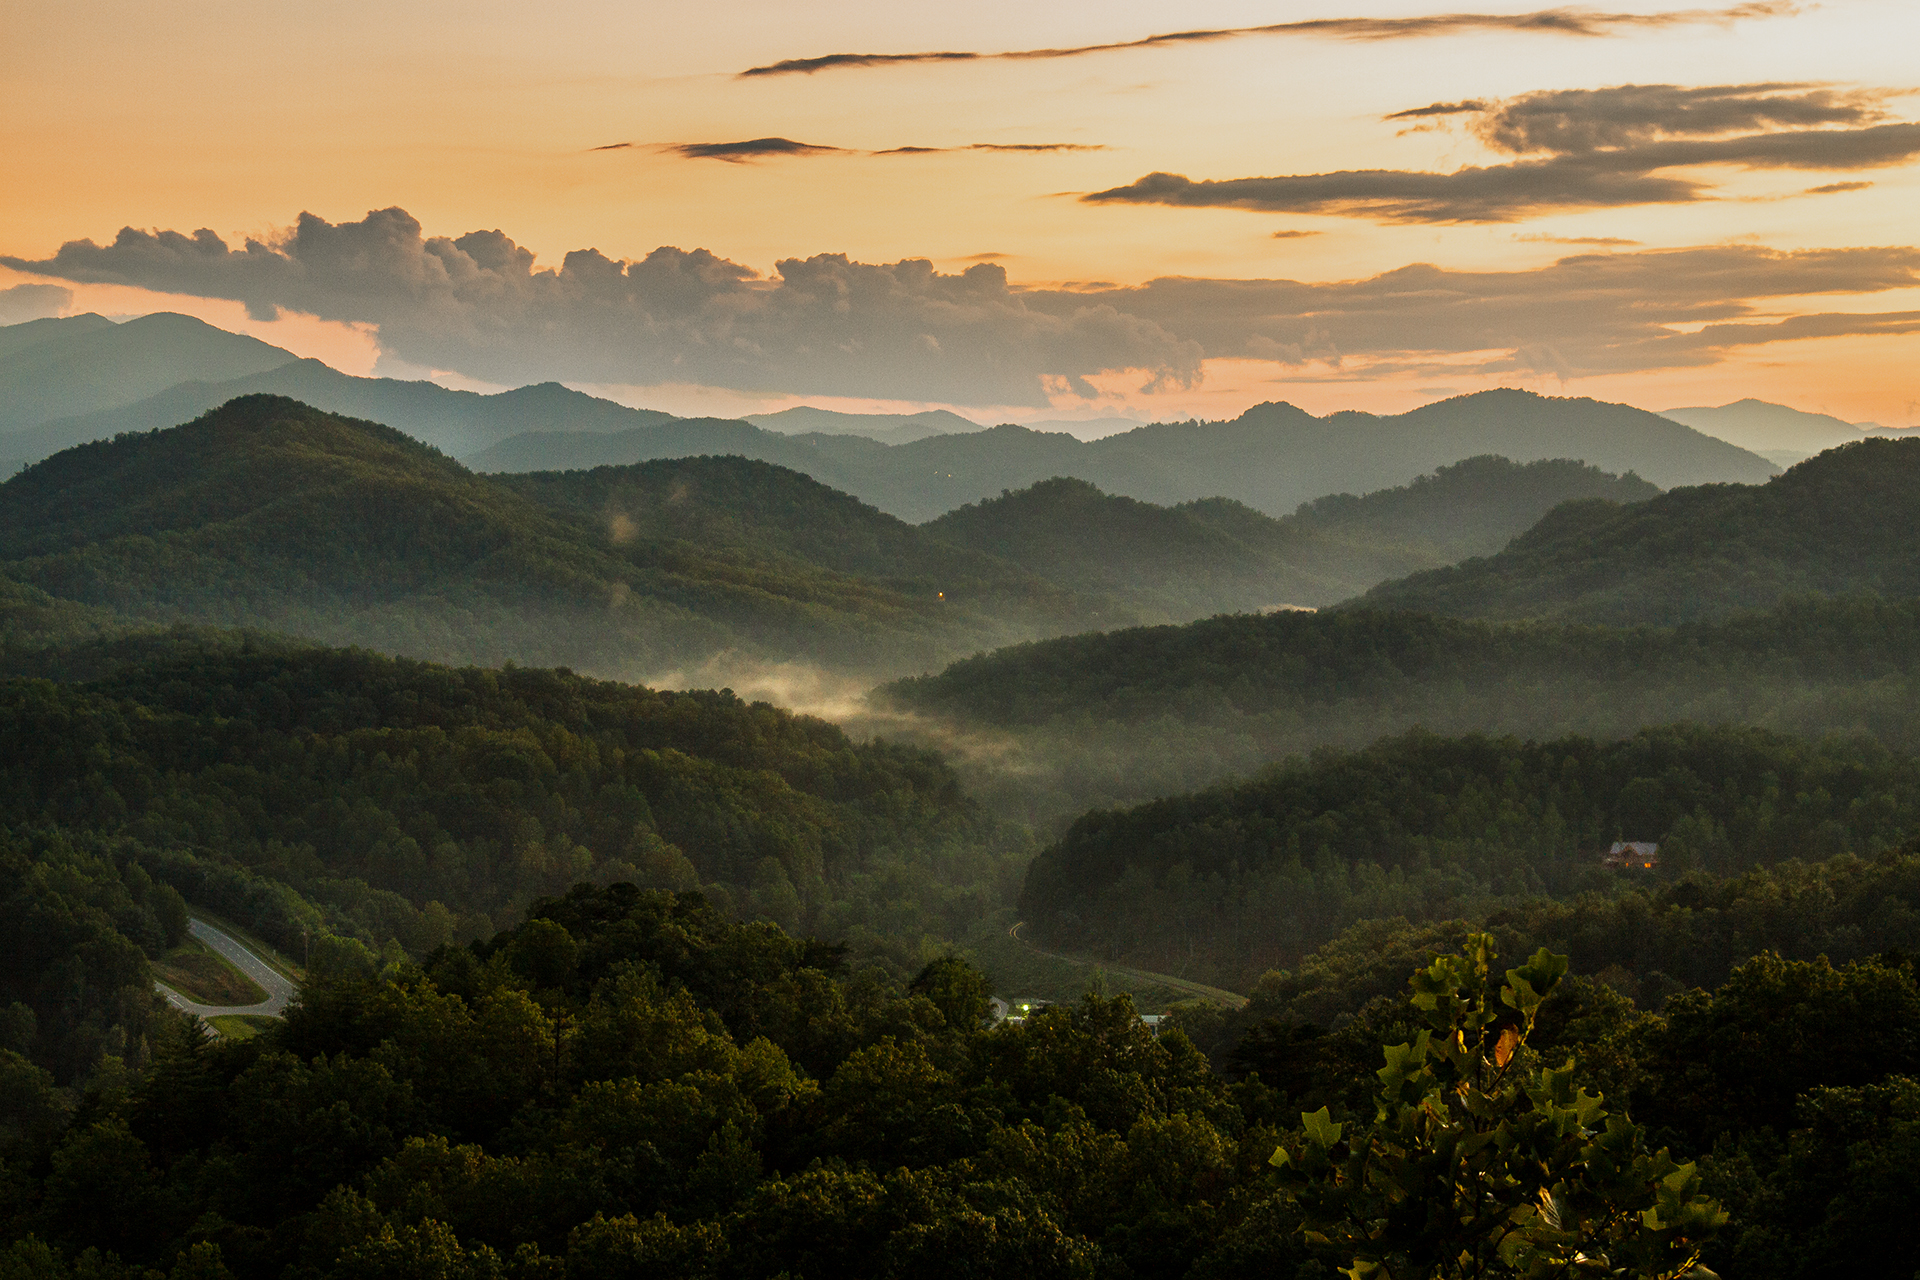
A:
(1579, 151)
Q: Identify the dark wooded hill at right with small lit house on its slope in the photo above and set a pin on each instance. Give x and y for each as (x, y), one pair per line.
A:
(1226, 884)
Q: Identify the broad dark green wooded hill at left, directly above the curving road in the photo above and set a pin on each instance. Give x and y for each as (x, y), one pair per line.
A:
(400, 805)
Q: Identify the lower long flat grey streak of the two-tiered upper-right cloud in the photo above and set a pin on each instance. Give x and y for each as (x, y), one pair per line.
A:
(1579, 179)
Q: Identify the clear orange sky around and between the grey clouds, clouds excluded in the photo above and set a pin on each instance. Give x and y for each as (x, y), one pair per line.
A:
(483, 116)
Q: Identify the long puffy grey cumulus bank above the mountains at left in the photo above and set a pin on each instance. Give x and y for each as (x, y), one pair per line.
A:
(823, 325)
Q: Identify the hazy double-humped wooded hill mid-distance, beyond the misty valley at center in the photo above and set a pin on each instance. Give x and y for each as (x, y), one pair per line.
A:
(1218, 556)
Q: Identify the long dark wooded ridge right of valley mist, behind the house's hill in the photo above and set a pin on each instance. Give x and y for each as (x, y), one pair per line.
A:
(1116, 719)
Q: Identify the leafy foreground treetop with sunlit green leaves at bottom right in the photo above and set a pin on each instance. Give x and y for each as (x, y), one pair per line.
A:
(1481, 1162)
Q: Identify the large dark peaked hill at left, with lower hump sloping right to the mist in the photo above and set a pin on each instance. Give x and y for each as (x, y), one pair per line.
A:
(270, 513)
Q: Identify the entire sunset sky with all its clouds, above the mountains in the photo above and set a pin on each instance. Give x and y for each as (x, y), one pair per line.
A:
(1009, 210)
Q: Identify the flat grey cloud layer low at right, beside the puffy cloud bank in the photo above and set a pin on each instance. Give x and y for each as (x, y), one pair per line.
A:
(1593, 314)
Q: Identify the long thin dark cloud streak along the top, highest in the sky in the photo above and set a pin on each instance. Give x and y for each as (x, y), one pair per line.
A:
(1566, 22)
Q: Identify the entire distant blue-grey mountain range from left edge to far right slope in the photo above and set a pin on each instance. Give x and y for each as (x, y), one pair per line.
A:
(85, 379)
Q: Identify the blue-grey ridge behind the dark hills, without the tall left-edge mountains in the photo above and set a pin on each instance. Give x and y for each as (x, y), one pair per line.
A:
(1274, 458)
